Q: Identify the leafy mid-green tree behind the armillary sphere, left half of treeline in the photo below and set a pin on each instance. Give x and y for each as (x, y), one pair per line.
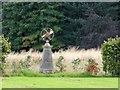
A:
(23, 22)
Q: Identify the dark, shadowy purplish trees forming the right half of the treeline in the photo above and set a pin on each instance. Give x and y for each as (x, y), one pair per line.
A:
(88, 24)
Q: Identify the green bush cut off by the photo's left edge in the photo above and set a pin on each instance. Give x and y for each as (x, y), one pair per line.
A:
(5, 49)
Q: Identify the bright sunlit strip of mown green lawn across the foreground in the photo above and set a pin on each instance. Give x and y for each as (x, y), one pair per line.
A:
(59, 82)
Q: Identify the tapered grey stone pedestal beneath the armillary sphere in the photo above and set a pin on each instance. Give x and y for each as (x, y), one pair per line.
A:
(47, 63)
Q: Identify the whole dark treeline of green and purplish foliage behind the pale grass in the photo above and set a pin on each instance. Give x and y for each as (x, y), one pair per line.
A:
(84, 25)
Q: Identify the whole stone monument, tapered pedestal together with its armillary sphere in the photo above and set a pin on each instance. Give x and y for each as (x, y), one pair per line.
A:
(47, 63)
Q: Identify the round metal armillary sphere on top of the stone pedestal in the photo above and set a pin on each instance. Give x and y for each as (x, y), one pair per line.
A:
(47, 34)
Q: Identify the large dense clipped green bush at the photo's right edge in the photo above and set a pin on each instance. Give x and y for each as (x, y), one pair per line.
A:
(111, 56)
